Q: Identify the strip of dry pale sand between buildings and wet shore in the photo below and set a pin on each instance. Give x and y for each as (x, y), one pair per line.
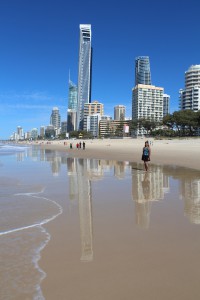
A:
(183, 152)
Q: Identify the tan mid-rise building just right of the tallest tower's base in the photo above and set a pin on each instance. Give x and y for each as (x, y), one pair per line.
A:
(90, 109)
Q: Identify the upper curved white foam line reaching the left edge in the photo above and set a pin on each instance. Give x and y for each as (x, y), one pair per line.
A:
(45, 221)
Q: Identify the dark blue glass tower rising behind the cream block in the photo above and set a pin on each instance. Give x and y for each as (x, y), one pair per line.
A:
(142, 70)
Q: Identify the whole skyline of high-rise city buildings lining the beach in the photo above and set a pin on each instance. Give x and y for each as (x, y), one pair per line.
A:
(83, 114)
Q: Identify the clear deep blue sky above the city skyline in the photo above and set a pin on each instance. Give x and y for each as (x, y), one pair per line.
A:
(39, 44)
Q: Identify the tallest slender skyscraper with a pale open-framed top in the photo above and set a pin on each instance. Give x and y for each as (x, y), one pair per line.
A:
(84, 72)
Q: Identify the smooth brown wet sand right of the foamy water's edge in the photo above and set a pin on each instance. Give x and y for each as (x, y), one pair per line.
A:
(126, 239)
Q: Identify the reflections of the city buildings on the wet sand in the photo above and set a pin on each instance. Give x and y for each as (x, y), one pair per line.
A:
(147, 188)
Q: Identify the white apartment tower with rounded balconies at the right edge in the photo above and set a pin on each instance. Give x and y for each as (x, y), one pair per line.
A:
(190, 96)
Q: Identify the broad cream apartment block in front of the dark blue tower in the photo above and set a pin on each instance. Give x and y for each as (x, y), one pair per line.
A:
(147, 103)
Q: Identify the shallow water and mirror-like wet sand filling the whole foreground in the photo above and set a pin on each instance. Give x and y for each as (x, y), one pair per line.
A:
(104, 229)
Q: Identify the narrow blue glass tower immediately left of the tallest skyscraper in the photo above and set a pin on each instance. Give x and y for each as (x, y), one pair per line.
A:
(72, 106)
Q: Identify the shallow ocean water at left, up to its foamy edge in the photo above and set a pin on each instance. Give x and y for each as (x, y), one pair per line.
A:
(23, 211)
